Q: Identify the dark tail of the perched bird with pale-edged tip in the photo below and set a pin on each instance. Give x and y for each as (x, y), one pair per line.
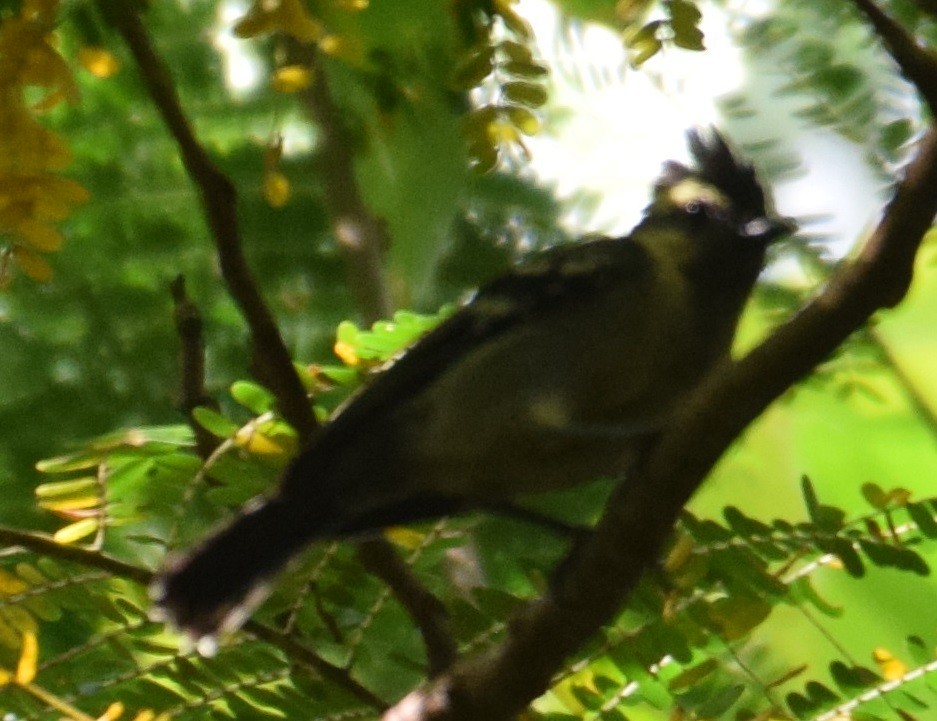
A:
(215, 588)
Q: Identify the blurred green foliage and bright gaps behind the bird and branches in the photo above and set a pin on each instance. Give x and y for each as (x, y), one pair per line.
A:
(446, 106)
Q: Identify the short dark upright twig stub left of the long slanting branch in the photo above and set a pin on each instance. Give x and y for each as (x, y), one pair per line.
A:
(192, 365)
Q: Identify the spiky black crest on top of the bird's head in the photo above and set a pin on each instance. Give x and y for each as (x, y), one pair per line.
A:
(716, 165)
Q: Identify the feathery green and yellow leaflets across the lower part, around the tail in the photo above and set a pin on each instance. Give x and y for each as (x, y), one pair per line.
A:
(333, 643)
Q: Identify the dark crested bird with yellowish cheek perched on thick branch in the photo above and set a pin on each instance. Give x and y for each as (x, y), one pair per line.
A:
(554, 374)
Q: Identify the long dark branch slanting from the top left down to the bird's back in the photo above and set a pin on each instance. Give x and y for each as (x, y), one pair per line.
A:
(271, 361)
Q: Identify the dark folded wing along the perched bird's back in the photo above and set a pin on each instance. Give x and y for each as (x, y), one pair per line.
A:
(551, 280)
